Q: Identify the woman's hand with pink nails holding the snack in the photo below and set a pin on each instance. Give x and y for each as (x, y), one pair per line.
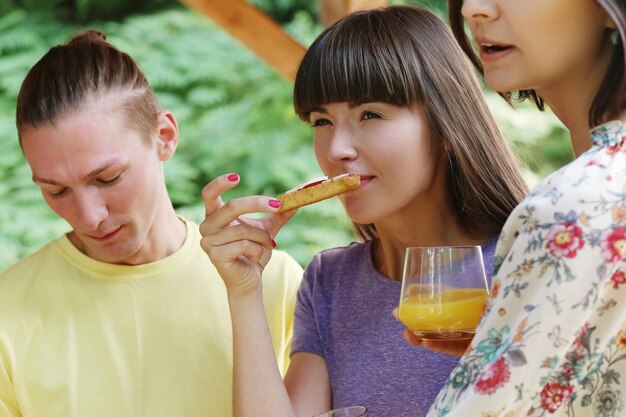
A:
(238, 246)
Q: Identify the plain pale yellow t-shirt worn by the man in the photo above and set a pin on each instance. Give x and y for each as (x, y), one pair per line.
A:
(82, 338)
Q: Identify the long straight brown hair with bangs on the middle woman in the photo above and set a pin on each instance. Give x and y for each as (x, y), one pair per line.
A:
(406, 55)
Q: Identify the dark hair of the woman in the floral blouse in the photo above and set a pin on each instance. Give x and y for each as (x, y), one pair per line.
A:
(610, 99)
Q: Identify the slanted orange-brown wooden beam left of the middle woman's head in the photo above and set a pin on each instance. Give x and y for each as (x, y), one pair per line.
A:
(256, 30)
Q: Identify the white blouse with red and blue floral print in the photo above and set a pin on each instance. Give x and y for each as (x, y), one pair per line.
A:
(552, 341)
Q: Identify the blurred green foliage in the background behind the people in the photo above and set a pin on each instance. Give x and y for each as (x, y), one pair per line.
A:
(235, 115)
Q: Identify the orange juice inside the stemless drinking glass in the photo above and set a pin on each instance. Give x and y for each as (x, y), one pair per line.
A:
(451, 314)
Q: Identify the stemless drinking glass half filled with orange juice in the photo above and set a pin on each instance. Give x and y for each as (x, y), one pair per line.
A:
(444, 289)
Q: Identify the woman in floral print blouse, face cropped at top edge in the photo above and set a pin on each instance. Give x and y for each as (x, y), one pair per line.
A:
(553, 338)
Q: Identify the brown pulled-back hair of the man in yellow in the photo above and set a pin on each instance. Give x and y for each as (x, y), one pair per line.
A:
(85, 68)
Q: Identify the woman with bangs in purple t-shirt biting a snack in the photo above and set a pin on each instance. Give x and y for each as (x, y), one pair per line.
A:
(391, 97)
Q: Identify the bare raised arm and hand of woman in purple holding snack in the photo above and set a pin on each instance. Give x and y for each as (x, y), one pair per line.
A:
(240, 248)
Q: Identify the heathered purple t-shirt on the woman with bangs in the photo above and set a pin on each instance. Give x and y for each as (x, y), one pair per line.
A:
(343, 313)
